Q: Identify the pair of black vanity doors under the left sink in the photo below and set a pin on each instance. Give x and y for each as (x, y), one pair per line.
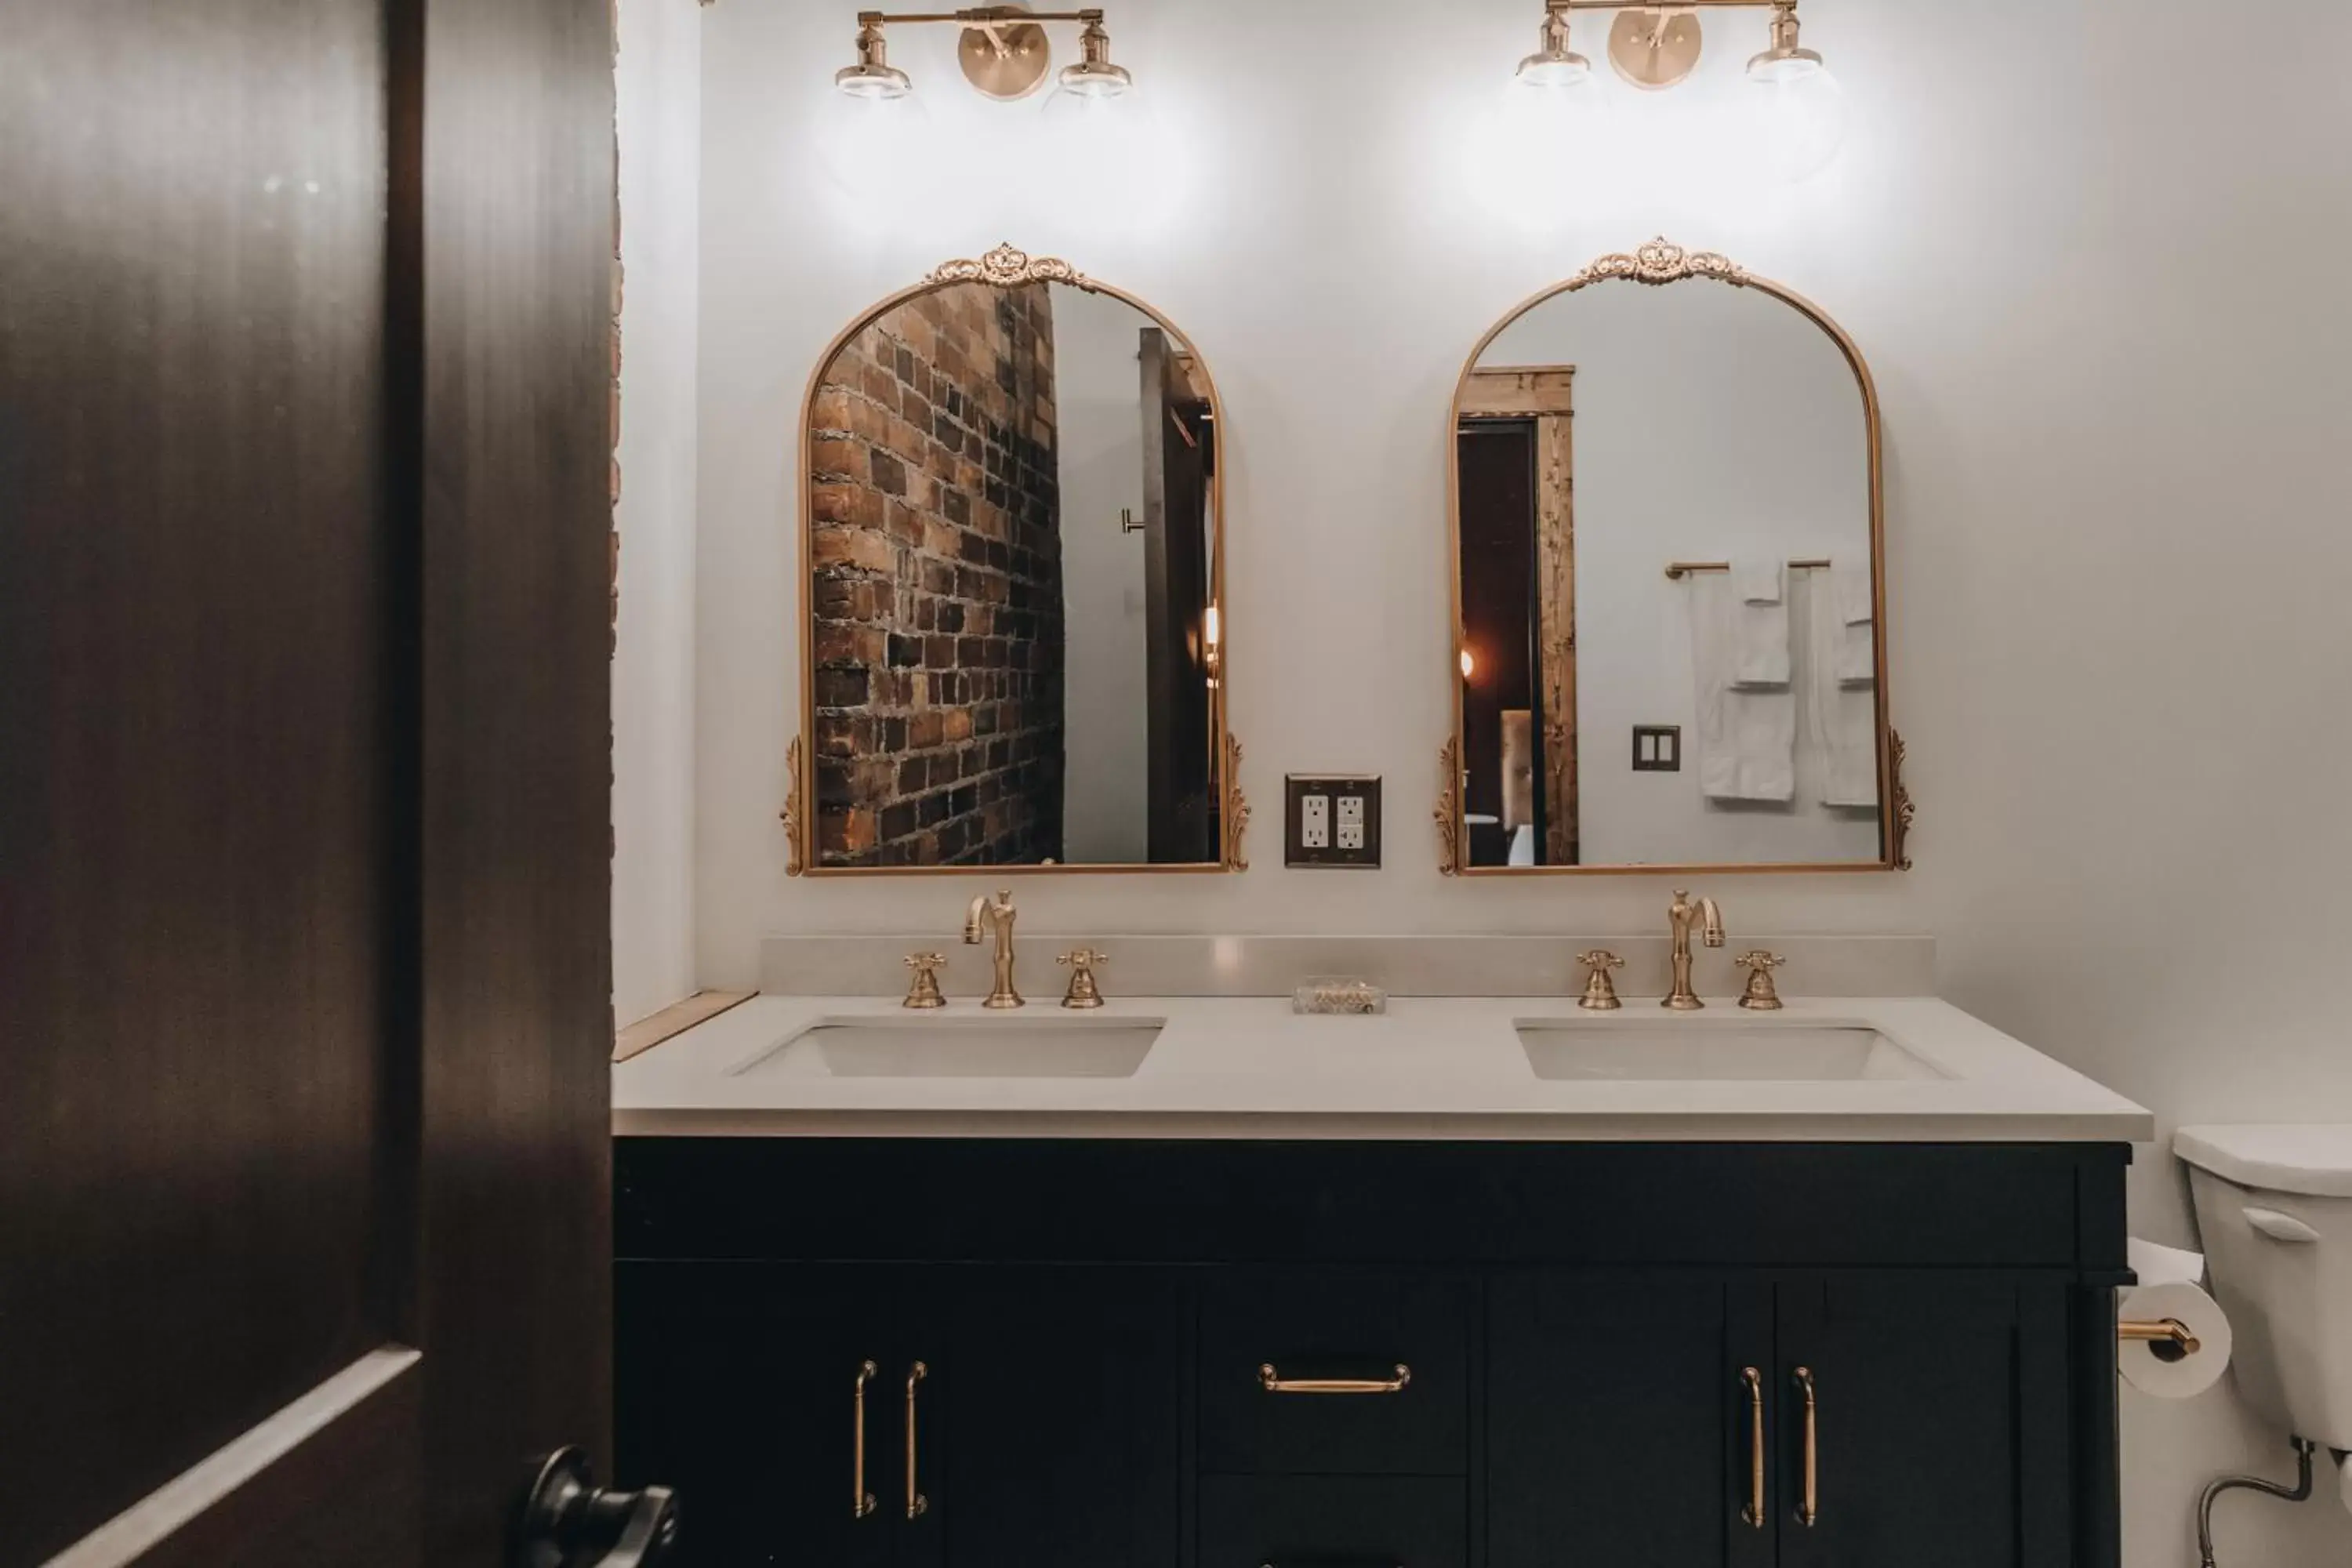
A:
(907, 1416)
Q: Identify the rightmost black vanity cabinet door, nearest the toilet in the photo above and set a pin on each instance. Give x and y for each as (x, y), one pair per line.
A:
(1925, 1449)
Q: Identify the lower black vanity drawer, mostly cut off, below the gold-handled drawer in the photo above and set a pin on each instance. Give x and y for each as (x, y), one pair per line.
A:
(1332, 1522)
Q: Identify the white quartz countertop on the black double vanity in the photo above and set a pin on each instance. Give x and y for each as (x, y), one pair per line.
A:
(1441, 1068)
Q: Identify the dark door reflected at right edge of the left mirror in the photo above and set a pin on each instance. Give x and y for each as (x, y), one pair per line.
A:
(1180, 744)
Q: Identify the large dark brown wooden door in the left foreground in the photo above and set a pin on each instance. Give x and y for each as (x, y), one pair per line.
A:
(305, 855)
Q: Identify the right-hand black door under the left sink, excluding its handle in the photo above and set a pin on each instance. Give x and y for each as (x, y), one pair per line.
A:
(1062, 1419)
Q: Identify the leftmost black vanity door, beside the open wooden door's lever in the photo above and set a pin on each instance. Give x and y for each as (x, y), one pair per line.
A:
(737, 1386)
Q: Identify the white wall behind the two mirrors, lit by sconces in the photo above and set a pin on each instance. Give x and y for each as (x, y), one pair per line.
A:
(2097, 264)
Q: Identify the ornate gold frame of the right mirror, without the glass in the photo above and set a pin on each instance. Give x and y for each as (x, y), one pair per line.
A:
(1662, 264)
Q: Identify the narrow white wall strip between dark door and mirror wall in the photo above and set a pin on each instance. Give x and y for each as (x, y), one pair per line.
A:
(653, 676)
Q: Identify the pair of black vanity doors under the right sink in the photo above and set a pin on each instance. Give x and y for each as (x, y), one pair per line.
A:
(1800, 1421)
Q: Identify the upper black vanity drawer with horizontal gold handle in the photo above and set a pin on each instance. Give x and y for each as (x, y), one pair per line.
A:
(1335, 1372)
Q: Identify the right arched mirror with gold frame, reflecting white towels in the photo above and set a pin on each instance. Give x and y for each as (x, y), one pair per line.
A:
(1669, 584)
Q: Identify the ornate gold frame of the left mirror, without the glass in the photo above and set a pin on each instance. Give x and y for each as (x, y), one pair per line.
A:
(1005, 267)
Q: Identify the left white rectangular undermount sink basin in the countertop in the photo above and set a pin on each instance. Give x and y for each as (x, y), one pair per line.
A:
(916, 1047)
